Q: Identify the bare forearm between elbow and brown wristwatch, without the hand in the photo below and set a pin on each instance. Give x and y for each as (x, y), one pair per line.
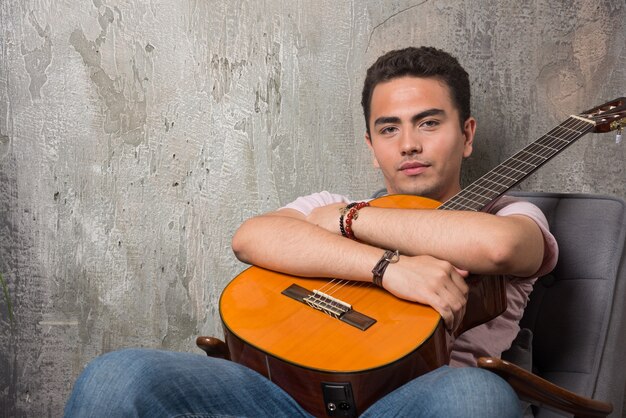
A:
(297, 247)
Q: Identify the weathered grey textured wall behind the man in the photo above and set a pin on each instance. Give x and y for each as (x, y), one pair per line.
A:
(136, 136)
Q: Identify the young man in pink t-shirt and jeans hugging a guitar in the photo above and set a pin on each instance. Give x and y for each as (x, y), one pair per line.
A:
(416, 103)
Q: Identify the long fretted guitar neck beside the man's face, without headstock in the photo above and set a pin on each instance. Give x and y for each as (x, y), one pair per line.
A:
(515, 169)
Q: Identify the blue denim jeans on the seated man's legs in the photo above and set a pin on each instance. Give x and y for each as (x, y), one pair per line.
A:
(152, 383)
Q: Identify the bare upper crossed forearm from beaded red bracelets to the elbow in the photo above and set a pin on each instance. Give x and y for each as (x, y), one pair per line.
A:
(478, 242)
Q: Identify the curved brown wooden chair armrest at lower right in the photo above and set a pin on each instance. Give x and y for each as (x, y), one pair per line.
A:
(538, 391)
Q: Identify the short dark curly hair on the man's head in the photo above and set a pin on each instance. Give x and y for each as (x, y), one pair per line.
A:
(419, 62)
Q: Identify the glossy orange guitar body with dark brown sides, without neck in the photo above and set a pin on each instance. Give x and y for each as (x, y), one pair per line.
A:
(310, 354)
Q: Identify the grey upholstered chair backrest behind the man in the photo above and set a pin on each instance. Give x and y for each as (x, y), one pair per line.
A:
(577, 313)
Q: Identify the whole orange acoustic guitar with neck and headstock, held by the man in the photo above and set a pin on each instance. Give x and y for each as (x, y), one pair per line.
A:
(338, 346)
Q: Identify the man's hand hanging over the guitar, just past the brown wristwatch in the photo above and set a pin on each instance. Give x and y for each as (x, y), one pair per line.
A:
(430, 281)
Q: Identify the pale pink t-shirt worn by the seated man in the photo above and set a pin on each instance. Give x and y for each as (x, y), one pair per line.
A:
(494, 337)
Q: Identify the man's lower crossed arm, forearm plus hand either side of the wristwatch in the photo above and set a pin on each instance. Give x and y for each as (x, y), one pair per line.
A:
(288, 242)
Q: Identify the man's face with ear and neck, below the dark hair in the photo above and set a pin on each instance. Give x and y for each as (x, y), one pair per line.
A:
(416, 139)
